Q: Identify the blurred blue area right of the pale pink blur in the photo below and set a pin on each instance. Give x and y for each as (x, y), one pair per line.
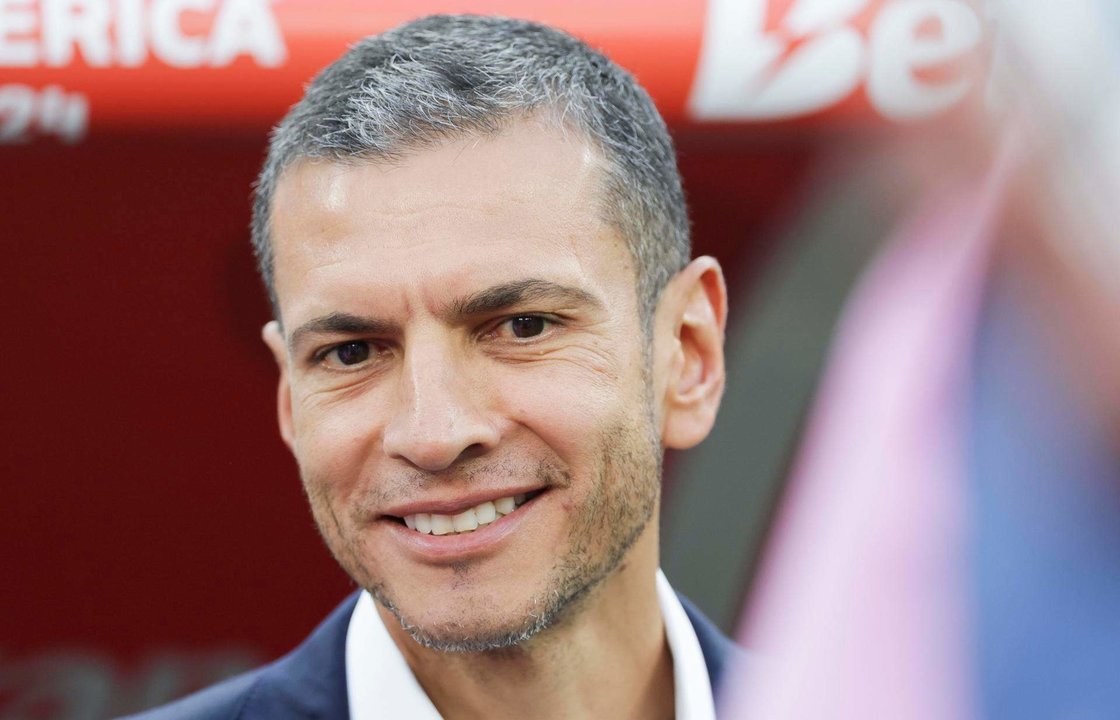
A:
(1047, 523)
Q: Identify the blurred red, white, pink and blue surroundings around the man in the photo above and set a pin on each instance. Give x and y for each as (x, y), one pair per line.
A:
(911, 504)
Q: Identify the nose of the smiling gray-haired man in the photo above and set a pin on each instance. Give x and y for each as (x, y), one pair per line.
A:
(438, 418)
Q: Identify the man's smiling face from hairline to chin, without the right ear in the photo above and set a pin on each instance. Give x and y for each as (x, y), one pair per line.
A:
(462, 333)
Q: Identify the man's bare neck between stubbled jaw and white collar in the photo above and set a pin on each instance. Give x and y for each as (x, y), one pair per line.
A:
(606, 658)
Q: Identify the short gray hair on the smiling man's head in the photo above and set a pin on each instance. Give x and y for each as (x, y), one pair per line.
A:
(445, 77)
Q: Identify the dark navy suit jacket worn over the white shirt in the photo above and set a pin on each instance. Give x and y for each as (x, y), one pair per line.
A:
(311, 681)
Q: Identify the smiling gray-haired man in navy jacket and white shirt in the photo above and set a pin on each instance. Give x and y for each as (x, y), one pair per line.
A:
(489, 331)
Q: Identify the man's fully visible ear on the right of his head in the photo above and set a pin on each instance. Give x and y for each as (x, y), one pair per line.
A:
(690, 323)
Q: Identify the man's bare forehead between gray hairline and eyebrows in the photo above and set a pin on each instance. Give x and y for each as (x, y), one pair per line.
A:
(453, 219)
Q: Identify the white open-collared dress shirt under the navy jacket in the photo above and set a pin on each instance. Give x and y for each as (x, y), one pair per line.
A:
(380, 684)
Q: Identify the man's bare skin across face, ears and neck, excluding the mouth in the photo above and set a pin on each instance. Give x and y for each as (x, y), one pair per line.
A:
(458, 398)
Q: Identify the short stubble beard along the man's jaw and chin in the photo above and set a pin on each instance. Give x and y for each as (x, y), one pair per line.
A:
(611, 521)
